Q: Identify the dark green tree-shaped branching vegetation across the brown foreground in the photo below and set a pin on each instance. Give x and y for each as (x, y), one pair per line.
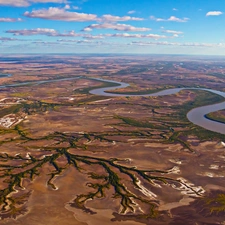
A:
(13, 204)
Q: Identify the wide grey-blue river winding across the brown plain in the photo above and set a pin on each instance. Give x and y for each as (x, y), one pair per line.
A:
(196, 115)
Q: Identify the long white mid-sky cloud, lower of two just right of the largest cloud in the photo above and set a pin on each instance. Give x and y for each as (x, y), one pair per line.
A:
(119, 27)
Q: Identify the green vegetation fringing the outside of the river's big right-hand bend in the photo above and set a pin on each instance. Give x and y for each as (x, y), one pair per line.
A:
(167, 124)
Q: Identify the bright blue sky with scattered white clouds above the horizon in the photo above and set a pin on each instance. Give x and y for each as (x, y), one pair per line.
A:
(195, 27)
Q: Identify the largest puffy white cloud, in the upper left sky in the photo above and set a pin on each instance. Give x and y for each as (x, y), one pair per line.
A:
(54, 13)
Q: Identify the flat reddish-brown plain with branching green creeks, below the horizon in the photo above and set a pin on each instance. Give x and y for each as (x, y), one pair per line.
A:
(70, 157)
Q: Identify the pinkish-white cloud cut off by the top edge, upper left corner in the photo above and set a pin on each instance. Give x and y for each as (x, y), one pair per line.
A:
(23, 3)
